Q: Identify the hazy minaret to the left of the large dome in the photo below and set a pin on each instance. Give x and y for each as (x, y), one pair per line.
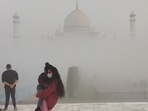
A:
(16, 26)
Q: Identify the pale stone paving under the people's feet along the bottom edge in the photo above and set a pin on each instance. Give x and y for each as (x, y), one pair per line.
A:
(89, 107)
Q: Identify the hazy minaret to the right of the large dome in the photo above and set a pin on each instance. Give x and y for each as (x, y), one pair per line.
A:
(132, 24)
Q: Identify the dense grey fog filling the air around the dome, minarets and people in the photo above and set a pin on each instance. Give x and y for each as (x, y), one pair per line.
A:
(115, 63)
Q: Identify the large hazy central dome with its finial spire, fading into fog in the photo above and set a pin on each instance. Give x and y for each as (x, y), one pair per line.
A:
(76, 24)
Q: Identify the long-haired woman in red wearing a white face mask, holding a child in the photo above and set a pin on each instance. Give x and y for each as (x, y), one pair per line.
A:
(54, 88)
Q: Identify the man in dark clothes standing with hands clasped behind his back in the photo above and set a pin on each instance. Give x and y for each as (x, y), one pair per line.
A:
(10, 79)
